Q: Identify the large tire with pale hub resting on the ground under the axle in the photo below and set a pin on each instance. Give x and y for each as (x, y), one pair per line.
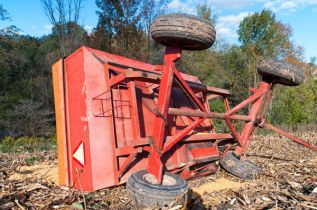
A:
(146, 194)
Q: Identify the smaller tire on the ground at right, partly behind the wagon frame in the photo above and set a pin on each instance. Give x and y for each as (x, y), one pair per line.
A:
(242, 169)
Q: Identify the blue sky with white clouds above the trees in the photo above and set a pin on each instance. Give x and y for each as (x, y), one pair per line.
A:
(301, 15)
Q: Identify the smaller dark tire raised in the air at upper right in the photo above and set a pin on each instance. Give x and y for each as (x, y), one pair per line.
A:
(280, 72)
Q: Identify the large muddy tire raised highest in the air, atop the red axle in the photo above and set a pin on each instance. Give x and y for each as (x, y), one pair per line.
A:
(183, 31)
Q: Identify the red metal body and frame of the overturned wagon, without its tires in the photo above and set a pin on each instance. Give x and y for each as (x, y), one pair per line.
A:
(116, 116)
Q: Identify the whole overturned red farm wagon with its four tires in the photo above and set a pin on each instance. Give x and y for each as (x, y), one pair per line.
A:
(124, 121)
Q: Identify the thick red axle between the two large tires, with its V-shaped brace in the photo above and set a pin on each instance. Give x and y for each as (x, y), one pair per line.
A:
(155, 164)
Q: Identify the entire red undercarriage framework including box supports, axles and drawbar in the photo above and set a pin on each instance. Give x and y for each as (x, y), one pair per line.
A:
(162, 144)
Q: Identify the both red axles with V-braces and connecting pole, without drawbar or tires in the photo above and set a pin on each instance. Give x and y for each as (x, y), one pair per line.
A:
(155, 165)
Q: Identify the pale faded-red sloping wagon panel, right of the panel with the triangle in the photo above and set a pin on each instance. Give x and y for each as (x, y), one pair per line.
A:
(98, 127)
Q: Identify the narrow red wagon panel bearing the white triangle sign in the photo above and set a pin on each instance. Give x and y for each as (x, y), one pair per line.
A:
(77, 120)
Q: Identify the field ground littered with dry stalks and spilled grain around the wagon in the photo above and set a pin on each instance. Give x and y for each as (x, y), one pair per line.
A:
(289, 180)
